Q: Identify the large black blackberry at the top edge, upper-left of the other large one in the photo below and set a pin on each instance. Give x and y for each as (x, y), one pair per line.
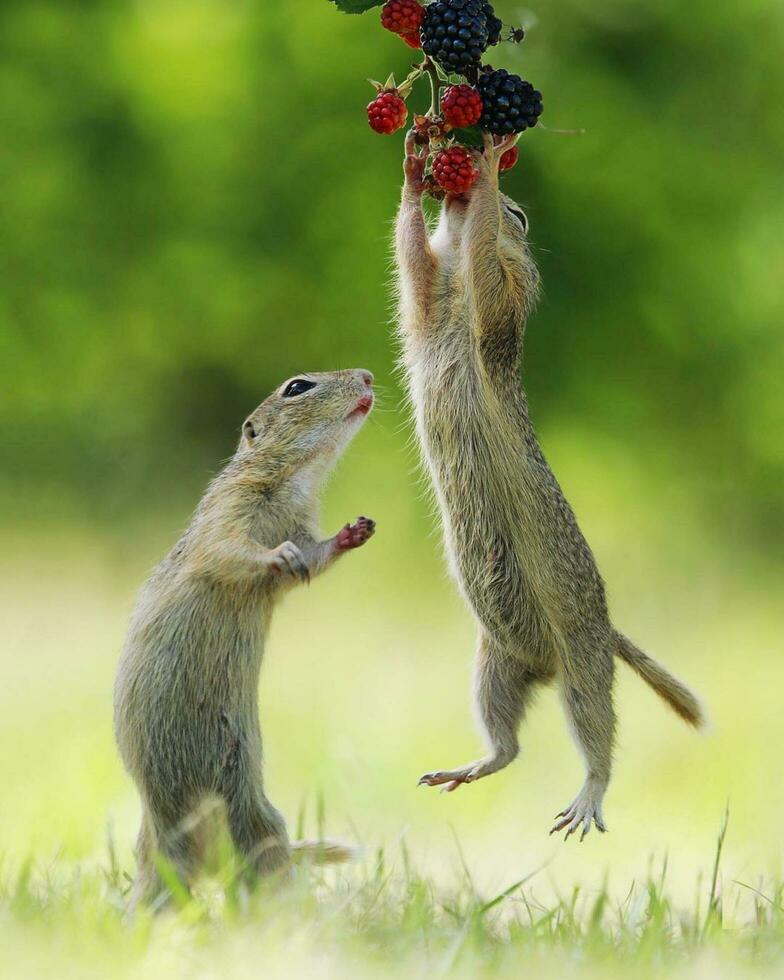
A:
(454, 33)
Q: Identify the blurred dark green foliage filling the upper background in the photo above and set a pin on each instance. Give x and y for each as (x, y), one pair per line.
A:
(194, 208)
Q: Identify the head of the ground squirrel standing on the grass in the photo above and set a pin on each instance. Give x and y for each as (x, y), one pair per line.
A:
(310, 418)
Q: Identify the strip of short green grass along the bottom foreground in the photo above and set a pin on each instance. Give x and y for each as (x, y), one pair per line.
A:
(382, 918)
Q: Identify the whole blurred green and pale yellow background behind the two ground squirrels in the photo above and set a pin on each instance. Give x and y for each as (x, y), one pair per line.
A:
(194, 209)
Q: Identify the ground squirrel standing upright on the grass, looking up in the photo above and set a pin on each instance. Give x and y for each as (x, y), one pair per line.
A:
(186, 698)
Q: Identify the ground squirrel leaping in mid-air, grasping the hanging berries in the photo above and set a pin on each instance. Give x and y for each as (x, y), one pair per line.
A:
(512, 539)
